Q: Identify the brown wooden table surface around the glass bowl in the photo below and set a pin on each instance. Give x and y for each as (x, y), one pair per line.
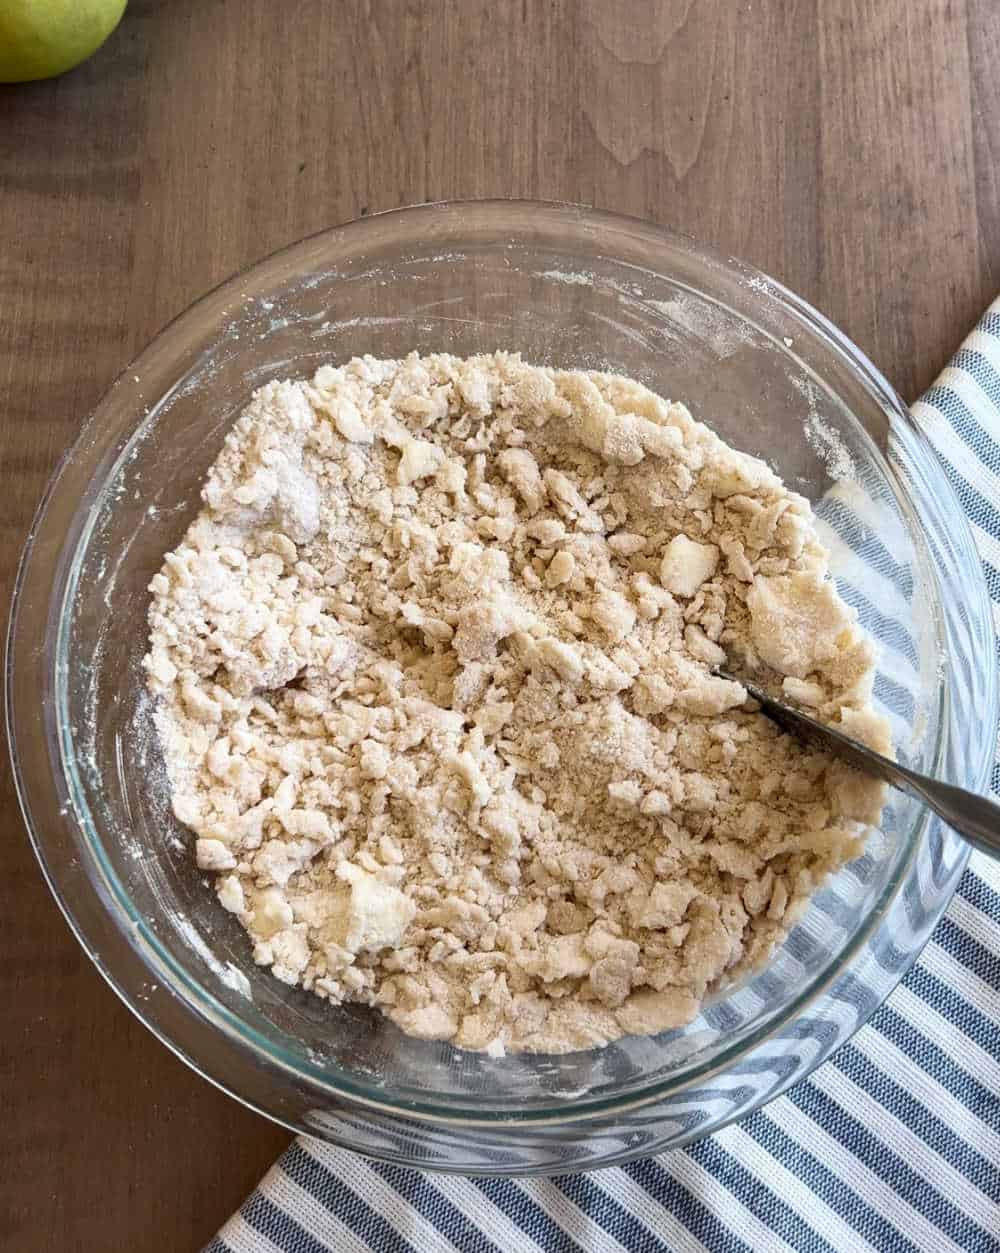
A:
(848, 147)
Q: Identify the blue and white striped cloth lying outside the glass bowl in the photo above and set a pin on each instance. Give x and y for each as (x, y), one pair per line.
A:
(890, 1147)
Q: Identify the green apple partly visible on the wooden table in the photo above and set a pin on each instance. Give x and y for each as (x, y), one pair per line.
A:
(43, 38)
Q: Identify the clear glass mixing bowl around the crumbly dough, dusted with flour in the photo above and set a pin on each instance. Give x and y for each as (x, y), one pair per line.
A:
(565, 286)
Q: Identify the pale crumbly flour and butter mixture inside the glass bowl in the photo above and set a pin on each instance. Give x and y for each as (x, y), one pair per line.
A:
(435, 690)
